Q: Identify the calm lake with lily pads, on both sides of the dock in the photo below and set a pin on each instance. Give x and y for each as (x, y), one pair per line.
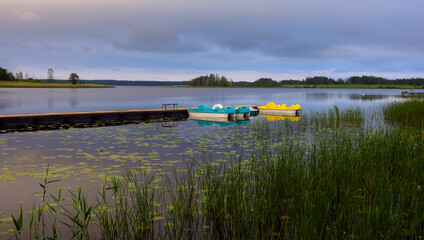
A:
(85, 157)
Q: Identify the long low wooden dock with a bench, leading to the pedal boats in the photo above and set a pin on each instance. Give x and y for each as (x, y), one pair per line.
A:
(60, 120)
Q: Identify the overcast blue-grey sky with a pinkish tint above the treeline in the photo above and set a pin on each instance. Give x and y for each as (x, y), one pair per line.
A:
(241, 39)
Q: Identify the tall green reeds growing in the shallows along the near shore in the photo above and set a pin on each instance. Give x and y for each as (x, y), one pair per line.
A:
(326, 176)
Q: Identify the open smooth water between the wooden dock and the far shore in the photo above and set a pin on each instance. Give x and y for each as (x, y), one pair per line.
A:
(14, 100)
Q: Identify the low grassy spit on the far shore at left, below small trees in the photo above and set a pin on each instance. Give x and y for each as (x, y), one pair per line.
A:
(34, 84)
